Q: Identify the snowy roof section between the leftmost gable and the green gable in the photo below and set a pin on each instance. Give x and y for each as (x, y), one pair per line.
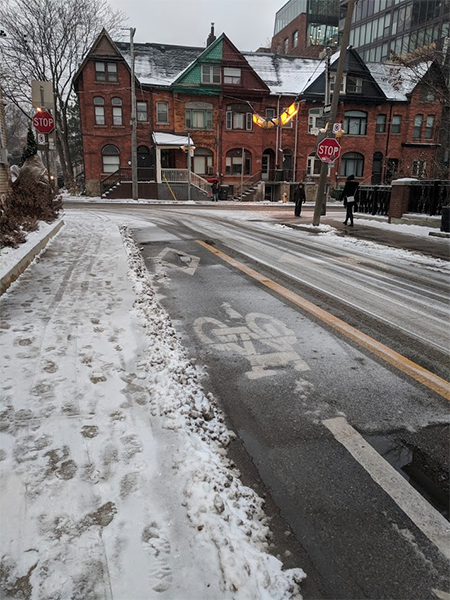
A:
(159, 64)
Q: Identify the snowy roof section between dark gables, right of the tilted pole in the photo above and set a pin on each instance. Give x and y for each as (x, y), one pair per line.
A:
(397, 81)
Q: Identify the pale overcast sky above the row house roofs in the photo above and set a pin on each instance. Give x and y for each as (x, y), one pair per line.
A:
(248, 23)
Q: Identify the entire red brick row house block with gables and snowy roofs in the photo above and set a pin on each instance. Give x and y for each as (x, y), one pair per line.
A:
(206, 98)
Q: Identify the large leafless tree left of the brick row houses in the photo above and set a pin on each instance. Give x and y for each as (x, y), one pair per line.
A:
(46, 40)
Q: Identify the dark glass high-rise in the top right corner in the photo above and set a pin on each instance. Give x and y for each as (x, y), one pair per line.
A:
(382, 29)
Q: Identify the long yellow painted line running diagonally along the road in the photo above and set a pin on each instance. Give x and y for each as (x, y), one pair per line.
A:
(433, 382)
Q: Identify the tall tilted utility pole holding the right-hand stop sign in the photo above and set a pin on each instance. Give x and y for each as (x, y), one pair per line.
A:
(320, 200)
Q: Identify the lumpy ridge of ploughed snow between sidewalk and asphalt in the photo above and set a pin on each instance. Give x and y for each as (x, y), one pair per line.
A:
(227, 516)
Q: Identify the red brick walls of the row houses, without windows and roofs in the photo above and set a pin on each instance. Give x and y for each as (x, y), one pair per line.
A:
(402, 147)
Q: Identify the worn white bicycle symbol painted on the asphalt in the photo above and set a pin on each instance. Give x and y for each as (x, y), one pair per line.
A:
(263, 340)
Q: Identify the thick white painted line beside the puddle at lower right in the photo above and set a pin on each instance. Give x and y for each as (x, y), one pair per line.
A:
(422, 514)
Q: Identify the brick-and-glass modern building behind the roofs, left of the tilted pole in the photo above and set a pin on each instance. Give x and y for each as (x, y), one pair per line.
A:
(306, 27)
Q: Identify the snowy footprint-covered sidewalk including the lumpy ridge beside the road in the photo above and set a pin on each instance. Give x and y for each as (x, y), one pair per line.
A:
(114, 480)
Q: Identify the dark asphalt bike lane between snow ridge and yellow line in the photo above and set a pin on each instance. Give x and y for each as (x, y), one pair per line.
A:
(285, 382)
